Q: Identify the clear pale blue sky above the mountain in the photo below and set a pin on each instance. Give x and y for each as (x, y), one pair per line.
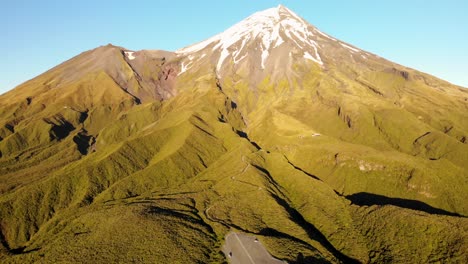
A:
(431, 36)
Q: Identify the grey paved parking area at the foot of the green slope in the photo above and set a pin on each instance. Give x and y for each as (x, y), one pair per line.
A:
(245, 249)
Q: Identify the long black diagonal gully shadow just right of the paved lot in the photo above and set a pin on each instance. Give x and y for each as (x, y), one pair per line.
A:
(313, 232)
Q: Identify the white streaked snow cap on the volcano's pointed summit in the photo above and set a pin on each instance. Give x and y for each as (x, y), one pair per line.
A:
(265, 31)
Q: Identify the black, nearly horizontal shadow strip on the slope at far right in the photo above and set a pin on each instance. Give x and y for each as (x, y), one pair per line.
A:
(368, 199)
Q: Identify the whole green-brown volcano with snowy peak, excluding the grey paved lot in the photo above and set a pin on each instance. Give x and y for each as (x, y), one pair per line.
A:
(325, 152)
